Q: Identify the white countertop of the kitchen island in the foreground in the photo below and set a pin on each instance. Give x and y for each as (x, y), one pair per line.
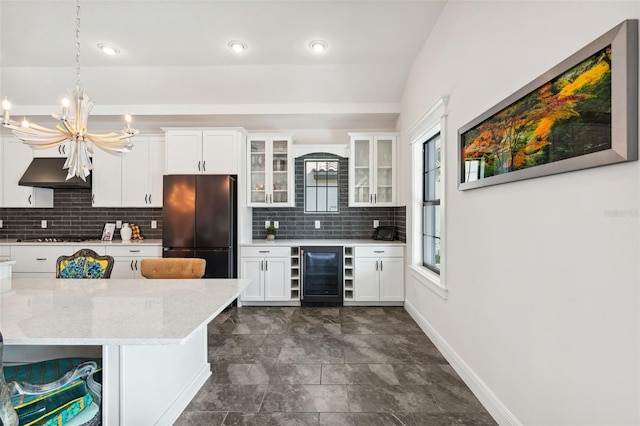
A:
(110, 312)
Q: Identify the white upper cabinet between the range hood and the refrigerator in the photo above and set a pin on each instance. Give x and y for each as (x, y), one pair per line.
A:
(131, 180)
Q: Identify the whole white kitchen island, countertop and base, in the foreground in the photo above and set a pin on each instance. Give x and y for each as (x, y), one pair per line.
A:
(151, 334)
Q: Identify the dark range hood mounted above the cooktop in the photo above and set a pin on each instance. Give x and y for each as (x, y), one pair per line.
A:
(48, 173)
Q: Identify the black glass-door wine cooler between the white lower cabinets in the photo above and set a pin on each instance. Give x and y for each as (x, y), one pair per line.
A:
(322, 271)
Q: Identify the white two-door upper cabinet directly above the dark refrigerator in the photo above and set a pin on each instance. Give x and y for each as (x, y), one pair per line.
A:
(192, 151)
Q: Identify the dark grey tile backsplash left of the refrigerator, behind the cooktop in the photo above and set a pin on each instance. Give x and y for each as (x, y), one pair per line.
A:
(72, 215)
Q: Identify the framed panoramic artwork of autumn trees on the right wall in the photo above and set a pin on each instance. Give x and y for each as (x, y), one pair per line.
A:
(582, 113)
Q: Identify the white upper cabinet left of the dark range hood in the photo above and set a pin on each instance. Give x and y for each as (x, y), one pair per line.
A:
(16, 158)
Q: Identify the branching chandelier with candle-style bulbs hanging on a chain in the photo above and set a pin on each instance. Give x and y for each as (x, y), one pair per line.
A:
(72, 128)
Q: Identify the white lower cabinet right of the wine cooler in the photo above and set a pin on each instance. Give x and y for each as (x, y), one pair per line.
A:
(378, 274)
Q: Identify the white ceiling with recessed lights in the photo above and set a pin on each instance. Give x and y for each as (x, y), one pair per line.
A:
(175, 68)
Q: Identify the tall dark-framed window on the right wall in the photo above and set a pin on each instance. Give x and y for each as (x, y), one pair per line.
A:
(431, 211)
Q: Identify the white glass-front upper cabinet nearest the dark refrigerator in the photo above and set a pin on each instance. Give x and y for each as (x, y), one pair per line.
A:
(270, 165)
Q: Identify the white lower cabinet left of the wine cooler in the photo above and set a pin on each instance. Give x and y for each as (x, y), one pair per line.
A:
(269, 269)
